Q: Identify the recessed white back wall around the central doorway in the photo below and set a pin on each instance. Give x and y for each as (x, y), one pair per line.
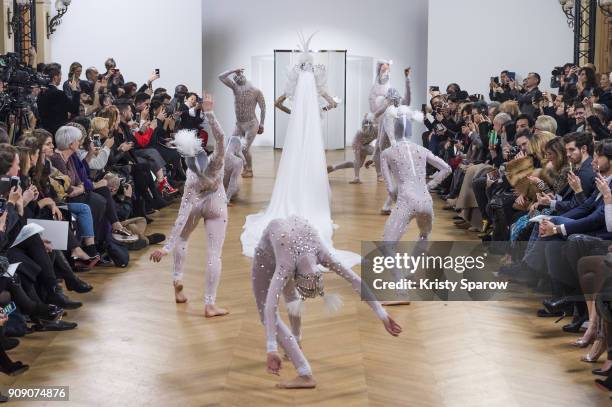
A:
(234, 31)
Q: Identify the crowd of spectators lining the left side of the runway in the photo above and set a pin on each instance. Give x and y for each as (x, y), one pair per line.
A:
(96, 152)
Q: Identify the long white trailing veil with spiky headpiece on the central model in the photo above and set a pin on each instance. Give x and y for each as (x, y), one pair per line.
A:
(301, 186)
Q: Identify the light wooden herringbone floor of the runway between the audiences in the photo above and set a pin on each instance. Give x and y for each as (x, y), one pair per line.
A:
(134, 346)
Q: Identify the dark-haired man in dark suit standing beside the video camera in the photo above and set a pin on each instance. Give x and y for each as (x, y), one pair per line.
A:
(54, 107)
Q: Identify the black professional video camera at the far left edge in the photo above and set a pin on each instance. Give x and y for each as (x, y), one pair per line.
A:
(18, 81)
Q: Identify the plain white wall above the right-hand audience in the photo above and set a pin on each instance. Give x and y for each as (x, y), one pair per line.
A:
(472, 40)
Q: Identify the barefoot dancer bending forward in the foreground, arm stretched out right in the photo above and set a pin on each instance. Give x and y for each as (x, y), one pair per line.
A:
(286, 262)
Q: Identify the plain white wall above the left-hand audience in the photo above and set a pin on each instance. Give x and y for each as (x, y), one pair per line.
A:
(140, 34)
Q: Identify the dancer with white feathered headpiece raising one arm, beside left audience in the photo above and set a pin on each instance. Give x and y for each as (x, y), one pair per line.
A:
(203, 198)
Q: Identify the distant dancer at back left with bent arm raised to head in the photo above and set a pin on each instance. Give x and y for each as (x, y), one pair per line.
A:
(246, 99)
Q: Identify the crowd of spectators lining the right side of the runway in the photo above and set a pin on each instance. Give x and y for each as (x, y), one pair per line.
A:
(532, 171)
